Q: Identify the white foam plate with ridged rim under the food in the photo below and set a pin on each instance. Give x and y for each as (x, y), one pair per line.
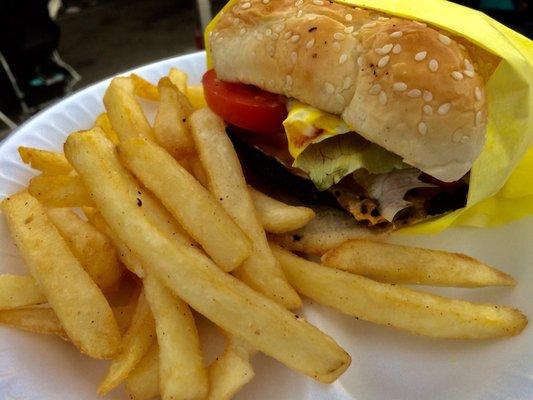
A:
(387, 364)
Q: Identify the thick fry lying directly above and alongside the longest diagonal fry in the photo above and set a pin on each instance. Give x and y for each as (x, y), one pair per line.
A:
(189, 202)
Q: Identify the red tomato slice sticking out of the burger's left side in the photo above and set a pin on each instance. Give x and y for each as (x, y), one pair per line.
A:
(245, 106)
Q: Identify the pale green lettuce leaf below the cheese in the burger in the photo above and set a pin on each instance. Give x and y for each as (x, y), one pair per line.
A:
(330, 160)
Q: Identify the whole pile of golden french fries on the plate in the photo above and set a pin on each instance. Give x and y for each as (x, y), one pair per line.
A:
(136, 225)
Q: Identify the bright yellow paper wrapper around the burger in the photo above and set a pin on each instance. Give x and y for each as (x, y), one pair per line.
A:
(501, 179)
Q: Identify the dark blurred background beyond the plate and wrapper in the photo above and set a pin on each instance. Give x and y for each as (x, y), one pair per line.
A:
(49, 48)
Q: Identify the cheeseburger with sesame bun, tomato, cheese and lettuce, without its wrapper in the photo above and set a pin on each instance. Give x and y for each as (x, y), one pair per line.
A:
(379, 115)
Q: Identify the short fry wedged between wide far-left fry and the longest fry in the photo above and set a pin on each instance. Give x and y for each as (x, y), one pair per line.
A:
(94, 250)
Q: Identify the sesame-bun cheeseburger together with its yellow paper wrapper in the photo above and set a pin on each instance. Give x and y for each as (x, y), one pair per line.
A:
(408, 116)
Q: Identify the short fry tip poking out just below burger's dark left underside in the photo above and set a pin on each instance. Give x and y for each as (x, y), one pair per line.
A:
(278, 217)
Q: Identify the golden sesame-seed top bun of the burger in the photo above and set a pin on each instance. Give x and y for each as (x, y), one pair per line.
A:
(399, 83)
